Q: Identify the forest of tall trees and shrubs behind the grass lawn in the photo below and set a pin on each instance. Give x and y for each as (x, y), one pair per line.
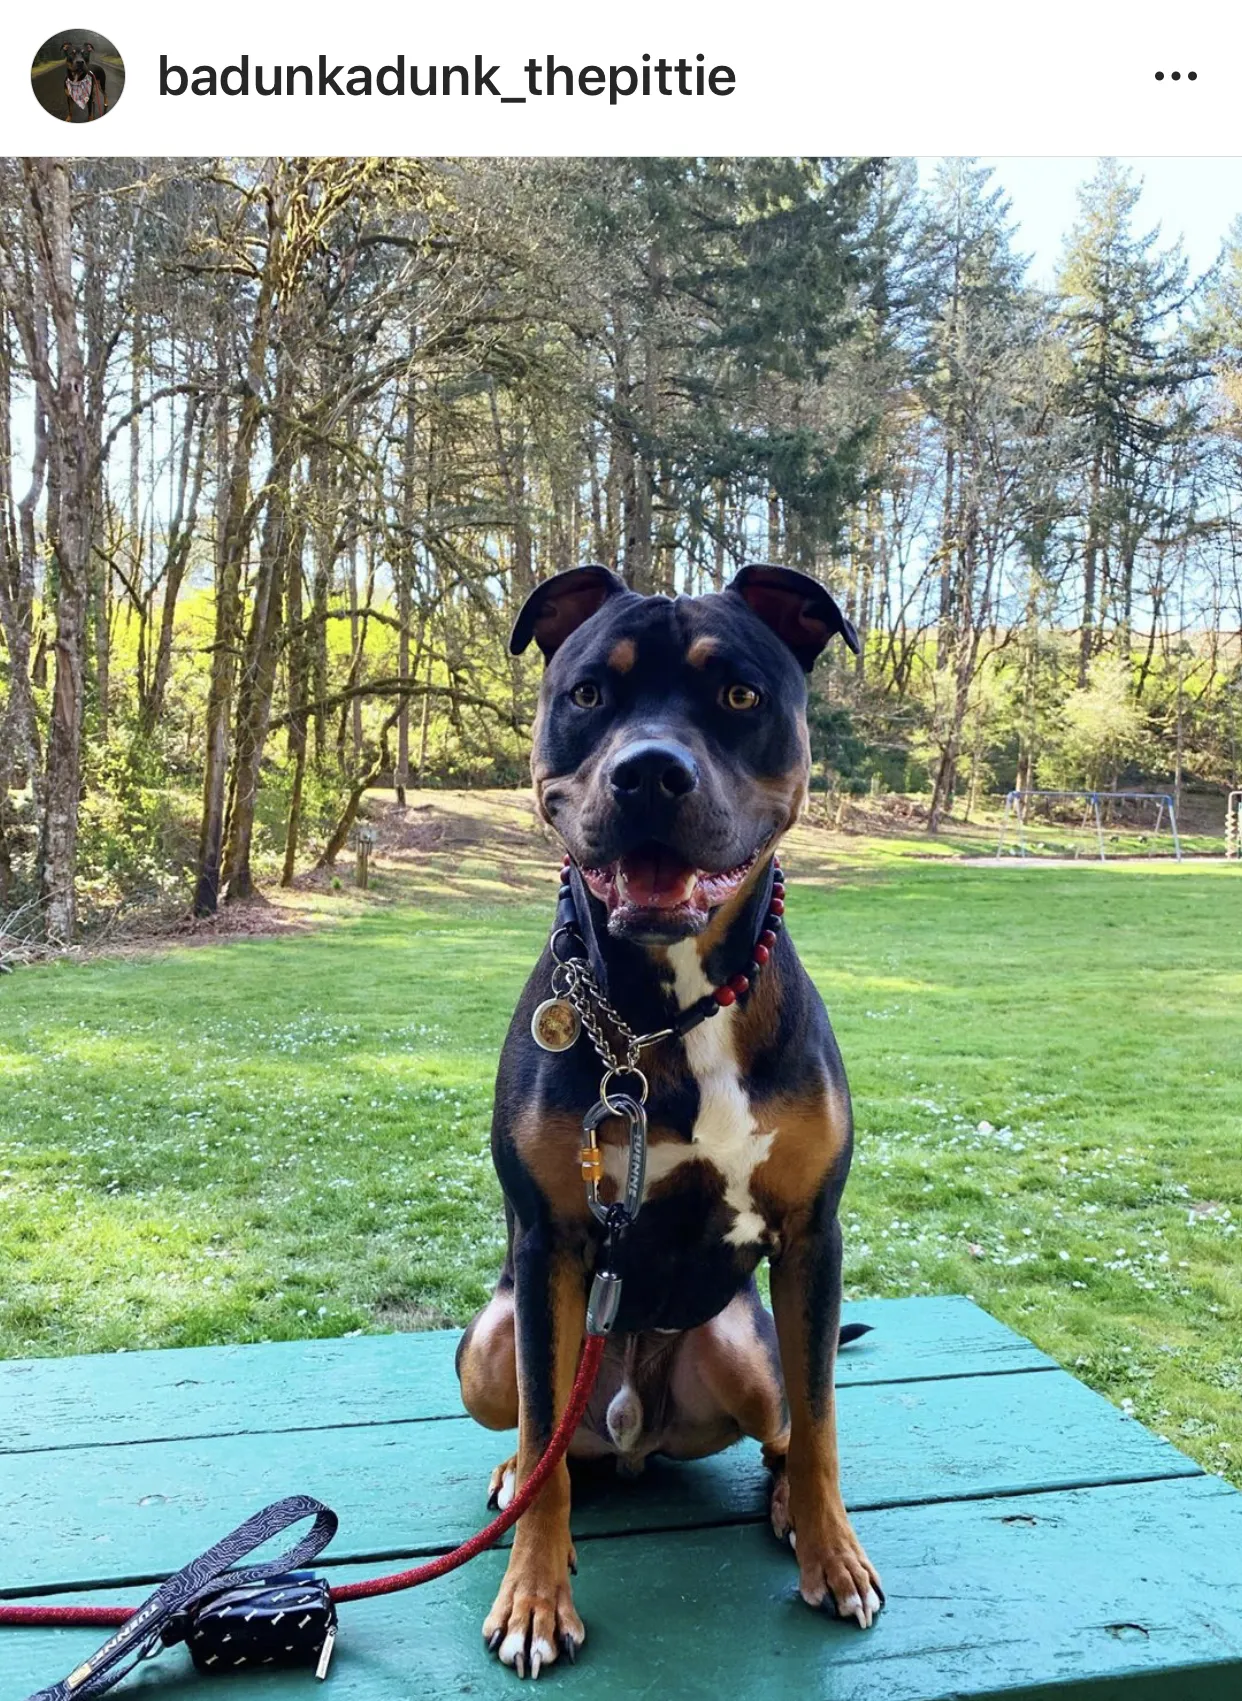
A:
(285, 443)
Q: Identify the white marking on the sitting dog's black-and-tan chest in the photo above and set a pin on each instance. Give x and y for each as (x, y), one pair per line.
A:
(726, 1132)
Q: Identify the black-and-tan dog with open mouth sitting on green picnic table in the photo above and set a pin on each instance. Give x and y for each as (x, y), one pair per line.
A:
(671, 756)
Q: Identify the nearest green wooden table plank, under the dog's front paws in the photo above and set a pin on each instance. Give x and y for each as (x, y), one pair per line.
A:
(1107, 1595)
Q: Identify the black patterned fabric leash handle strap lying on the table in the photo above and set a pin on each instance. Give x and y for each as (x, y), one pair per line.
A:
(142, 1636)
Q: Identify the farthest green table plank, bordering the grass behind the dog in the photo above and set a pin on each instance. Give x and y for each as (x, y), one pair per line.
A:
(399, 1379)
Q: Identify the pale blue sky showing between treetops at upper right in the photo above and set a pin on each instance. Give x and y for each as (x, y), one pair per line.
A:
(1190, 198)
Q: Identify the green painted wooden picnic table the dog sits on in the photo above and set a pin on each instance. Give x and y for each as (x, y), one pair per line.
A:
(1034, 1540)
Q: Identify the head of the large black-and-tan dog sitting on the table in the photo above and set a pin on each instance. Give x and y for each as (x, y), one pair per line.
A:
(671, 739)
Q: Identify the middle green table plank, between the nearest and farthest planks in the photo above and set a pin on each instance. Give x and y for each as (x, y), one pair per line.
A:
(137, 1511)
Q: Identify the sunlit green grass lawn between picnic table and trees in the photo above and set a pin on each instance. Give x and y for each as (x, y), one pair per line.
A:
(288, 1137)
